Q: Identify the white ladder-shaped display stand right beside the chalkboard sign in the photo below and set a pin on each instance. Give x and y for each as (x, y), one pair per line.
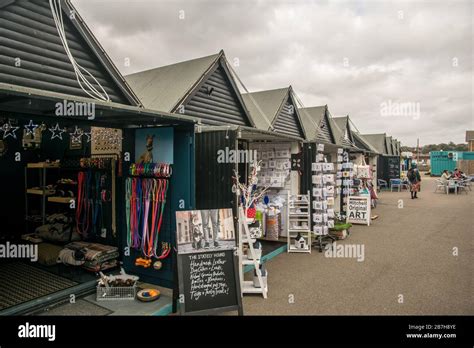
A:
(247, 287)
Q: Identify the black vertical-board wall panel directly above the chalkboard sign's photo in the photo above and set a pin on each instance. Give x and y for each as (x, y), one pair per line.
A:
(214, 179)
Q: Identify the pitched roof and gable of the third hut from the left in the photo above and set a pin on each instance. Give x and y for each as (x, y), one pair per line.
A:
(269, 110)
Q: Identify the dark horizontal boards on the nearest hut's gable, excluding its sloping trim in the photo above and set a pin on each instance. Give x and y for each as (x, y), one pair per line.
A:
(32, 55)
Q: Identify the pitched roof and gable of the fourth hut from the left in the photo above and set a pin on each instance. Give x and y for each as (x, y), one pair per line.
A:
(314, 119)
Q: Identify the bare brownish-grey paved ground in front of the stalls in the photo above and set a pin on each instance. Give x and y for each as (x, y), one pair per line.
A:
(408, 252)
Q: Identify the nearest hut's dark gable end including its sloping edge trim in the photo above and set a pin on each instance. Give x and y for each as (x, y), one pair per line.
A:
(30, 33)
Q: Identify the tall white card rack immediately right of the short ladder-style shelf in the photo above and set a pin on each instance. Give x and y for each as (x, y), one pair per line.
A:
(323, 191)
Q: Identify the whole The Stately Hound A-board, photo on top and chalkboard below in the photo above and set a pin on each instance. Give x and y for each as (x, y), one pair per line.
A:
(207, 263)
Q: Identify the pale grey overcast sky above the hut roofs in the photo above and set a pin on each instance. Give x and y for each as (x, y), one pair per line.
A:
(362, 58)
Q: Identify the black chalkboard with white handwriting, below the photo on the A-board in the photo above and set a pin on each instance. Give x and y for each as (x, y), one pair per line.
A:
(208, 282)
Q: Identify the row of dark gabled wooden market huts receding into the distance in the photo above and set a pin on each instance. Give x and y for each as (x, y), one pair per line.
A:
(184, 113)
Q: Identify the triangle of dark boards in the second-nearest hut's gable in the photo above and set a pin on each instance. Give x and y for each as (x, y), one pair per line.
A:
(217, 102)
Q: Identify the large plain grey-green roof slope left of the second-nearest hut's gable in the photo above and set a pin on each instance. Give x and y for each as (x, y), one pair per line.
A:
(163, 88)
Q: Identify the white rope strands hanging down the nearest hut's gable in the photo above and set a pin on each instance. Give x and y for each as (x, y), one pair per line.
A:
(85, 85)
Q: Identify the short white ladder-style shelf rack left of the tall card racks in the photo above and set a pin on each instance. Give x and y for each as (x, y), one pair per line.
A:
(299, 223)
